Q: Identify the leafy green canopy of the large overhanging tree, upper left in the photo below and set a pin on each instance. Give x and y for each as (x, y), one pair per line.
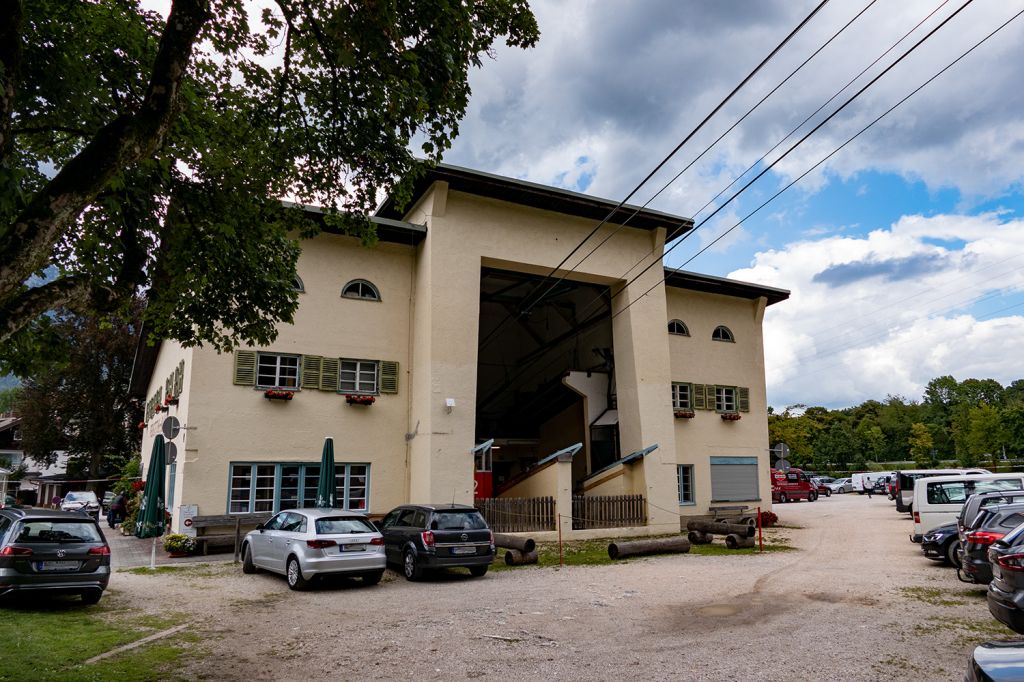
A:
(139, 153)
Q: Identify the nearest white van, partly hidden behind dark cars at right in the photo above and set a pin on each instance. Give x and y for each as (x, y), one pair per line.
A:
(938, 500)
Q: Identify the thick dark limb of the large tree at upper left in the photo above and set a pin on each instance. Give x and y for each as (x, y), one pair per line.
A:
(27, 245)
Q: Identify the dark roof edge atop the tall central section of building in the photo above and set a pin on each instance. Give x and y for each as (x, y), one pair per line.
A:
(539, 196)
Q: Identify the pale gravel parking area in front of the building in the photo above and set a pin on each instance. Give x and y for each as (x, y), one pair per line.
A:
(856, 602)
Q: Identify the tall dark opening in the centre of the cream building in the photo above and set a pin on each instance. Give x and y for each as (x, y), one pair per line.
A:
(534, 332)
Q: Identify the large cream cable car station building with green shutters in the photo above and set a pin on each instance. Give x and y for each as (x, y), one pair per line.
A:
(450, 334)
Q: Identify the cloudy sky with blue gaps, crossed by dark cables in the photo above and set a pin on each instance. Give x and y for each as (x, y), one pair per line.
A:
(905, 251)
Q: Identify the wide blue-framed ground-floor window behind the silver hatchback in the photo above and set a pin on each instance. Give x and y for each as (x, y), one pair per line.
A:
(272, 488)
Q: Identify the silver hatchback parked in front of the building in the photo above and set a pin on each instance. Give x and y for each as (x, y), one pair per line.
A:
(303, 544)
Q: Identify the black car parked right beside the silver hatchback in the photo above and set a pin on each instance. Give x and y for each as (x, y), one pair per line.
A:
(423, 538)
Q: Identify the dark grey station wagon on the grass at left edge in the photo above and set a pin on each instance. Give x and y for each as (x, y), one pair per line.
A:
(52, 551)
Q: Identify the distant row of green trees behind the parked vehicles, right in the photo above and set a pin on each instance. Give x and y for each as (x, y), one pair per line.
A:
(975, 422)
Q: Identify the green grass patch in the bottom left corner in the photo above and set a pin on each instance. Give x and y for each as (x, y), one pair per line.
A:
(55, 640)
